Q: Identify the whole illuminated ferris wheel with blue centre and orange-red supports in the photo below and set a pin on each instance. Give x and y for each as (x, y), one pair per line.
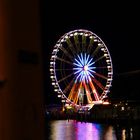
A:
(81, 69)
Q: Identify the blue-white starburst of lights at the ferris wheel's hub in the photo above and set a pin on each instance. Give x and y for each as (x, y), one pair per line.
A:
(83, 67)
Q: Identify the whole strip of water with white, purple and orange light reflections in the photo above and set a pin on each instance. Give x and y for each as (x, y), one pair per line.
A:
(73, 130)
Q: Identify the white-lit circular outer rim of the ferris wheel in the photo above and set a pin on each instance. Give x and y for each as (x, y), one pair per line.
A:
(56, 48)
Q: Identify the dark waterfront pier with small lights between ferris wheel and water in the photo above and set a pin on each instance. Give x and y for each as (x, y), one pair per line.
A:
(121, 113)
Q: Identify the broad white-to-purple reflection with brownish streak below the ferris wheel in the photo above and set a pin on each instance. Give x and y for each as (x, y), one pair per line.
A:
(72, 130)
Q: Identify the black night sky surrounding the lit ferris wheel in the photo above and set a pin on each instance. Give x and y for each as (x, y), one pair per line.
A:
(117, 24)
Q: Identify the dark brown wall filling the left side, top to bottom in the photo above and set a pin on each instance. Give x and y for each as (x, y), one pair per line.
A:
(21, 87)
